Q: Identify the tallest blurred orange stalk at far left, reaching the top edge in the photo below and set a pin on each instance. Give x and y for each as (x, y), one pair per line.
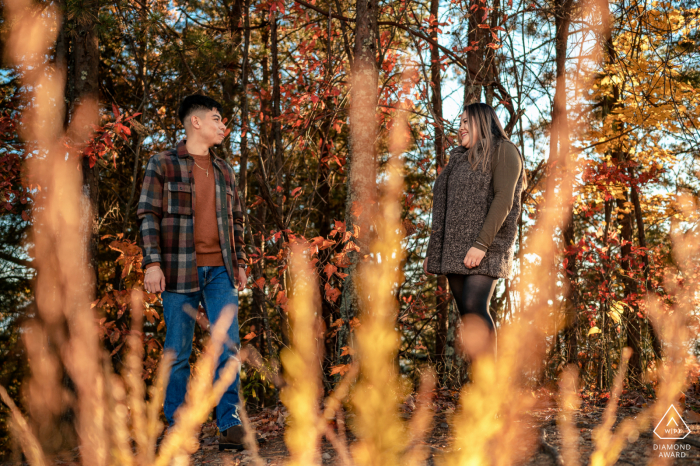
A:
(63, 284)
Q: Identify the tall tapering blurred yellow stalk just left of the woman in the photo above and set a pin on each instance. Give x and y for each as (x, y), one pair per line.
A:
(376, 398)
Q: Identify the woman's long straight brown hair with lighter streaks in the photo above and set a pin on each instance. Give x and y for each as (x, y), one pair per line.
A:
(484, 122)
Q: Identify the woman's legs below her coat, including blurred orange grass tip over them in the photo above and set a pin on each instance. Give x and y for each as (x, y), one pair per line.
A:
(472, 294)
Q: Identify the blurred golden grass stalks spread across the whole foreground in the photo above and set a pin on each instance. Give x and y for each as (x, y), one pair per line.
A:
(111, 411)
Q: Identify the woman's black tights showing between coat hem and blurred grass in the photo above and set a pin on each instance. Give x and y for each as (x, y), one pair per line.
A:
(473, 294)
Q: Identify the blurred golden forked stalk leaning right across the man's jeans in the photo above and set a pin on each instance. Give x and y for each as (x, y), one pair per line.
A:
(201, 396)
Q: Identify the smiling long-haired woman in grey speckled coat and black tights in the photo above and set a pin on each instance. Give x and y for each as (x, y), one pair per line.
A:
(476, 206)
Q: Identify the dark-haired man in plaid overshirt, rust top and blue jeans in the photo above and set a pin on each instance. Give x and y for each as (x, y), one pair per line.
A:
(191, 228)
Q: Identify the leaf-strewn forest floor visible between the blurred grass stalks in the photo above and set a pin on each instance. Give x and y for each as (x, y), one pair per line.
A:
(270, 424)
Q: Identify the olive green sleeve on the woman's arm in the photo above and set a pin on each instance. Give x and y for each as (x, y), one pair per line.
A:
(506, 171)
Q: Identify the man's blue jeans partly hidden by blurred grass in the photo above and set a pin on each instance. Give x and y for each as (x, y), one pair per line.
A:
(215, 292)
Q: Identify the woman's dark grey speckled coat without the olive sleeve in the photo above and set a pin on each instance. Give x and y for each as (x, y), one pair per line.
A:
(461, 201)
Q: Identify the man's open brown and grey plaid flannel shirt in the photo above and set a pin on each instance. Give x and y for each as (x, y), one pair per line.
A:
(166, 215)
